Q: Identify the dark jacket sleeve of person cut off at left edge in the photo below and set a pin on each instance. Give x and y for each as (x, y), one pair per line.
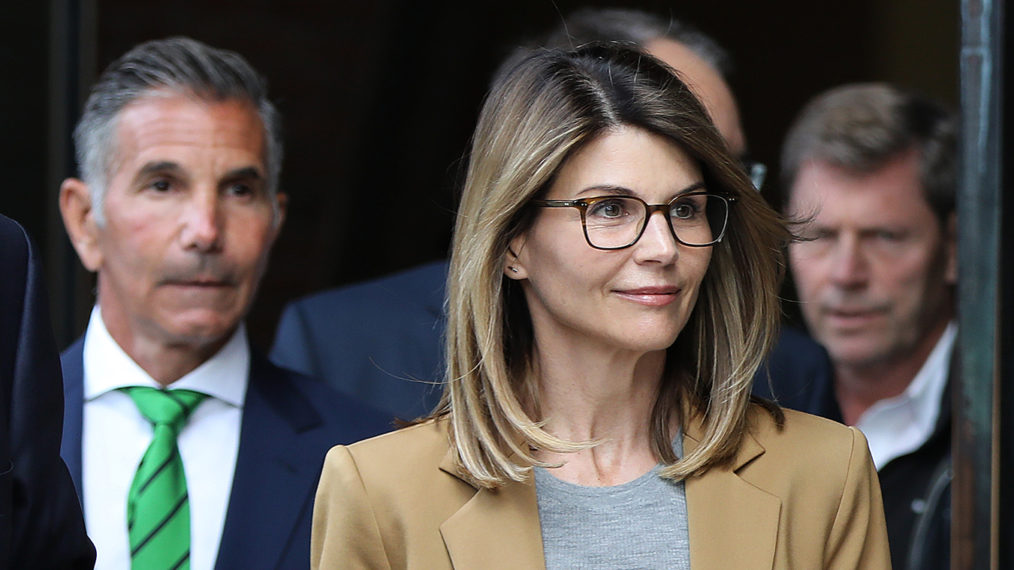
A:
(41, 524)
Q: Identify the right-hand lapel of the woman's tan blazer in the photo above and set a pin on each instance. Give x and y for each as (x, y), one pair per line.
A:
(733, 524)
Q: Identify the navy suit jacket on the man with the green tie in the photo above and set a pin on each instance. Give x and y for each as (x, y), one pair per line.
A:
(289, 423)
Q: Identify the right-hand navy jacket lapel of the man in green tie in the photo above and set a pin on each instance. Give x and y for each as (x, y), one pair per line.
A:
(275, 474)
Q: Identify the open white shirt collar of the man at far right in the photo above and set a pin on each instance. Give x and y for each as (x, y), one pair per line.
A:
(898, 426)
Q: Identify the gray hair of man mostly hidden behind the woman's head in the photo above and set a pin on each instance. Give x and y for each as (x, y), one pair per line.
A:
(613, 25)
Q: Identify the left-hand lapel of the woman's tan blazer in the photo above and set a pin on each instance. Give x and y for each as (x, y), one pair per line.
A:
(495, 529)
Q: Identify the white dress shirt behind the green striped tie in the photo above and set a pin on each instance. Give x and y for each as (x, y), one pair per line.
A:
(116, 437)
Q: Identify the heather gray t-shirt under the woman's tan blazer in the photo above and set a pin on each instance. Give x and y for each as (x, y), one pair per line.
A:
(638, 525)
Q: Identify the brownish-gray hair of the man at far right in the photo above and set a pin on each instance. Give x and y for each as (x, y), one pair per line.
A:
(862, 127)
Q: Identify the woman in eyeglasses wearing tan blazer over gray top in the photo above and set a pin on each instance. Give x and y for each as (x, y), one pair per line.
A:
(613, 290)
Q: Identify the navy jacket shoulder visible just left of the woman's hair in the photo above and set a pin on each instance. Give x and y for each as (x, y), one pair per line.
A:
(381, 341)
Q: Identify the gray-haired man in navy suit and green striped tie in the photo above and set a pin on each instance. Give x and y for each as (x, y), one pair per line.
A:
(176, 210)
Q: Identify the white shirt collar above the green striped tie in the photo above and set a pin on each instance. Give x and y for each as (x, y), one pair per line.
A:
(108, 368)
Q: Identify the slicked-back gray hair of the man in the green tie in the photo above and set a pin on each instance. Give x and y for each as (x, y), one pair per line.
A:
(177, 65)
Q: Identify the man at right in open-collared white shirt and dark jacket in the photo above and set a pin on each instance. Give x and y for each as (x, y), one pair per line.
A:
(871, 172)
